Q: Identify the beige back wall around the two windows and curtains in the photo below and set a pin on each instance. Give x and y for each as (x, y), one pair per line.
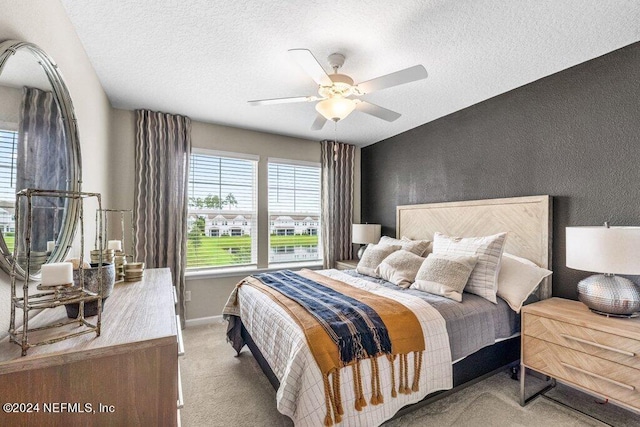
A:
(209, 295)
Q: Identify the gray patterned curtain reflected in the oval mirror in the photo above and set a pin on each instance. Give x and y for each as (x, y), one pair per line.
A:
(42, 162)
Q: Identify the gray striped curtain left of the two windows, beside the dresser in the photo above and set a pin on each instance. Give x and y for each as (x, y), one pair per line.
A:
(163, 148)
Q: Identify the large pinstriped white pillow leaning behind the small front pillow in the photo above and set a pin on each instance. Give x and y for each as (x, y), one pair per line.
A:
(484, 277)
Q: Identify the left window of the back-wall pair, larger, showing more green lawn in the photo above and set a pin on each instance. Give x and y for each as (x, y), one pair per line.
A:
(222, 216)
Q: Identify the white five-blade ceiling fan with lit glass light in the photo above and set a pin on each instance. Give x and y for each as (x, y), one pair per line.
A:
(338, 96)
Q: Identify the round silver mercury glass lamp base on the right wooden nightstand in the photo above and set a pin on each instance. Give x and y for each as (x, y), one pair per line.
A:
(610, 295)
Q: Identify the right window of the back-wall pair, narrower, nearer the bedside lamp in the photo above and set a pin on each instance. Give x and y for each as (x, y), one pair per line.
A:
(294, 211)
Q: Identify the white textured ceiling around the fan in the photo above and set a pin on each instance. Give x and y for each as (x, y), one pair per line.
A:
(206, 59)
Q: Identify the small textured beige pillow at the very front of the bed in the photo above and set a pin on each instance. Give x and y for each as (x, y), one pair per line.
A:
(445, 275)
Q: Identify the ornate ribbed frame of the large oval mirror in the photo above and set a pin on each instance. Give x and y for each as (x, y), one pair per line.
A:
(61, 94)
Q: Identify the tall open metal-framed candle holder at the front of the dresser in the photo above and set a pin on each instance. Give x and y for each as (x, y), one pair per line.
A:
(51, 294)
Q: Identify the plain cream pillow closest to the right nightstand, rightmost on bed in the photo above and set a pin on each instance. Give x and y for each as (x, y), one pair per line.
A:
(518, 278)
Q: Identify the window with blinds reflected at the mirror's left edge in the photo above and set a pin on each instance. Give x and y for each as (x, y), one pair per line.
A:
(8, 144)
